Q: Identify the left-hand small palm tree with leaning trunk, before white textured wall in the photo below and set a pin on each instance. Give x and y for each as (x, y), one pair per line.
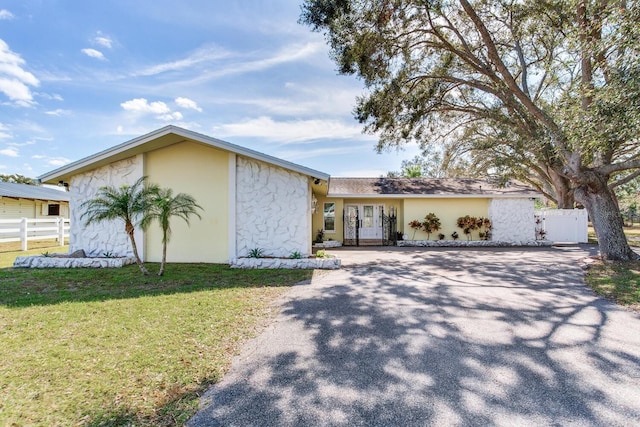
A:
(130, 203)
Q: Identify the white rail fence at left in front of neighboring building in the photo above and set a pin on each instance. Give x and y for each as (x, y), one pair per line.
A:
(28, 229)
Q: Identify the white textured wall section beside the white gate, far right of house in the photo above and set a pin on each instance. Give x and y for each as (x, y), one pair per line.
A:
(512, 220)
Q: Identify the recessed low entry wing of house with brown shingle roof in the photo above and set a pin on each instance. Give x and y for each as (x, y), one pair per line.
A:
(365, 206)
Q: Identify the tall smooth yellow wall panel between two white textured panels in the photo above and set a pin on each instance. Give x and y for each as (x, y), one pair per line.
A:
(202, 172)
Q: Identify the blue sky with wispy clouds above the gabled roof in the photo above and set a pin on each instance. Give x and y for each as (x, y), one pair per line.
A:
(77, 77)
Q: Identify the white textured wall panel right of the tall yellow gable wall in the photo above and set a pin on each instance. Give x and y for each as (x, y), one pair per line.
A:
(272, 210)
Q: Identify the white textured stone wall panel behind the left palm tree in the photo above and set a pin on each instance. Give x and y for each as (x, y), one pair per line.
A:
(107, 236)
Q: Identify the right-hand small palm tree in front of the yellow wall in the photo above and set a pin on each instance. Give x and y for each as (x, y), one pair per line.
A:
(164, 206)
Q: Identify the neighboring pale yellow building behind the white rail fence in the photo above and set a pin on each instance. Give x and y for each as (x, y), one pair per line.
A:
(31, 201)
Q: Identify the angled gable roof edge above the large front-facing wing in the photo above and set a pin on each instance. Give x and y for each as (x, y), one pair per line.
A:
(164, 137)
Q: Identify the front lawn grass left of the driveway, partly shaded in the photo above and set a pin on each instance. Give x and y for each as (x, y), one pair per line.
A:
(110, 347)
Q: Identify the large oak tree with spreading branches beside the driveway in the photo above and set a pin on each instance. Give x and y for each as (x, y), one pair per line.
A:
(553, 85)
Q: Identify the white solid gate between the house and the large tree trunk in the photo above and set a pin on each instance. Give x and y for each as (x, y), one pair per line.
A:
(563, 225)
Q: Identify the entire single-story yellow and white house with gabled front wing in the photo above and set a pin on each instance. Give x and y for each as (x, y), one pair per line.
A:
(252, 200)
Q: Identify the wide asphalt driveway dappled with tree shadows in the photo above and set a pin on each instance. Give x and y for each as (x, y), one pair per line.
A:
(415, 337)
